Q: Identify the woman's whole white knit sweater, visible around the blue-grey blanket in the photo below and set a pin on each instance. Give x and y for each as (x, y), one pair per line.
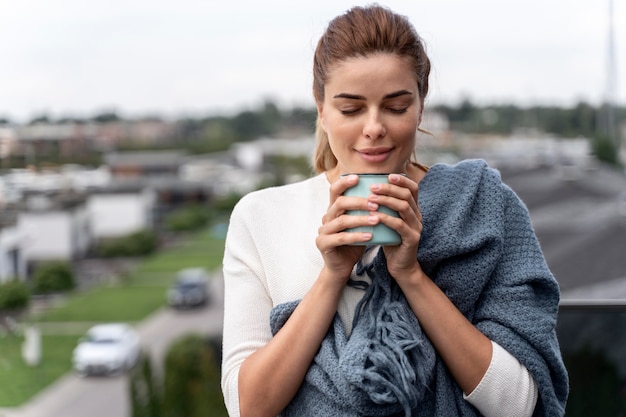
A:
(271, 258)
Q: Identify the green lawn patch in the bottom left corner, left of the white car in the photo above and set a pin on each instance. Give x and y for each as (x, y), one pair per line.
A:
(18, 381)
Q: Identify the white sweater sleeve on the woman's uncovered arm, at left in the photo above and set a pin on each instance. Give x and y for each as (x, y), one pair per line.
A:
(245, 300)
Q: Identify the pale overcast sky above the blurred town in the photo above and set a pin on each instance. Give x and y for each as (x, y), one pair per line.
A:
(198, 57)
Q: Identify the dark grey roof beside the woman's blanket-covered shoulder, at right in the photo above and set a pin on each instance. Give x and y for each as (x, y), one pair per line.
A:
(580, 221)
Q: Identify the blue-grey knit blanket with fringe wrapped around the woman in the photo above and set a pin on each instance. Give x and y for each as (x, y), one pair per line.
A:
(479, 247)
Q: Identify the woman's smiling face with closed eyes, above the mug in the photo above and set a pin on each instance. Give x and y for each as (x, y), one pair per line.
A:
(371, 112)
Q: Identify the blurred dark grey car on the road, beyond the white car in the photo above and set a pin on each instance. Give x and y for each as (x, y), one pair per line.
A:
(190, 289)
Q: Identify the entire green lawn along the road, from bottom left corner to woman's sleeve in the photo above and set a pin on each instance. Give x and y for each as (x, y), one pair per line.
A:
(140, 293)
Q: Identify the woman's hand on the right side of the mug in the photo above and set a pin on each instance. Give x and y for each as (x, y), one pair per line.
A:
(400, 195)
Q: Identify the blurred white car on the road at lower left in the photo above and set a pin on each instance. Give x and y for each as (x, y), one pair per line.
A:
(107, 349)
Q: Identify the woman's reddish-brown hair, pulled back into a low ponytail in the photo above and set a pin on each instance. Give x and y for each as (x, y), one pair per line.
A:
(360, 32)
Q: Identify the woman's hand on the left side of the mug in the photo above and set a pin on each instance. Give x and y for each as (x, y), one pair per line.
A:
(333, 241)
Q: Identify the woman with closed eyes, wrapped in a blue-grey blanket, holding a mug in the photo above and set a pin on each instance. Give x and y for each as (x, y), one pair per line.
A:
(456, 320)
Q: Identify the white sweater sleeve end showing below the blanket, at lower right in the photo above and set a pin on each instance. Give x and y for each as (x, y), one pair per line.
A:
(507, 388)
